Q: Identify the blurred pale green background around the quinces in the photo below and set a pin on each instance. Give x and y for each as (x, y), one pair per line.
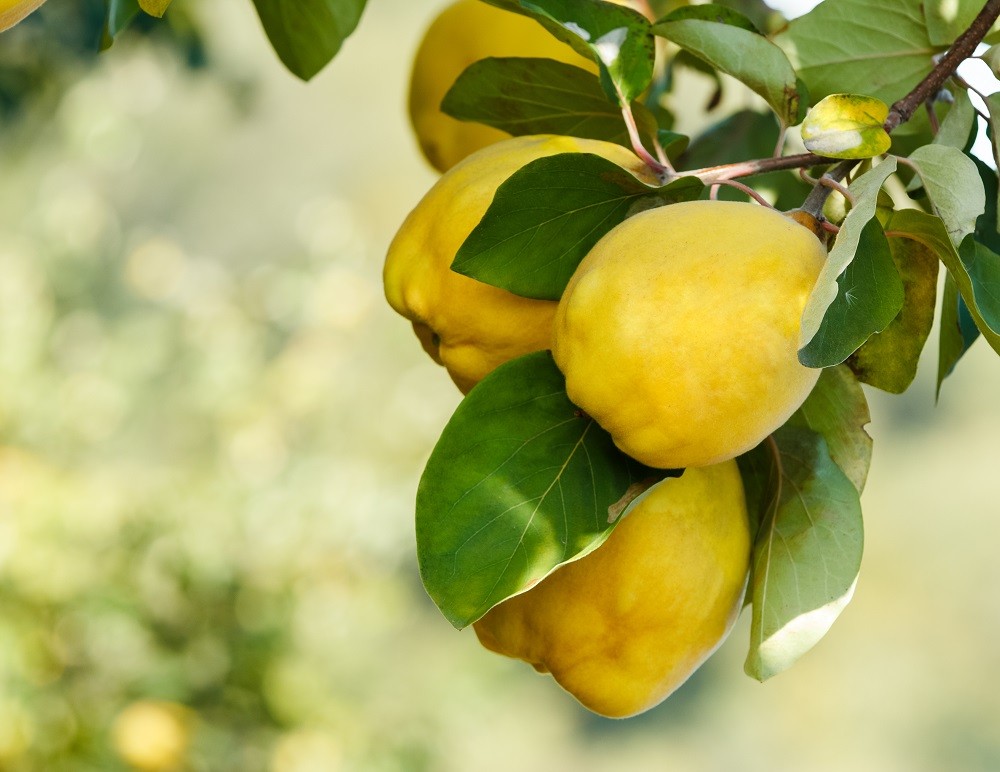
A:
(213, 426)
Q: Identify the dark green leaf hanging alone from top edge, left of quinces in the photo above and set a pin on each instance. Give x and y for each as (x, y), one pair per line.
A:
(307, 34)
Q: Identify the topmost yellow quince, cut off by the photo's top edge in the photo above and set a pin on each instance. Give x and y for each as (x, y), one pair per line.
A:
(465, 32)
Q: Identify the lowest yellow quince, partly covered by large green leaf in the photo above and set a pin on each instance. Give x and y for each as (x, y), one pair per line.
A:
(623, 627)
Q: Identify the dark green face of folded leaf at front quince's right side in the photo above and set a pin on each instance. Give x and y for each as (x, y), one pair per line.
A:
(869, 296)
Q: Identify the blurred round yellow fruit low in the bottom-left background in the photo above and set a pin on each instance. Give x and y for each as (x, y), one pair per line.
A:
(152, 735)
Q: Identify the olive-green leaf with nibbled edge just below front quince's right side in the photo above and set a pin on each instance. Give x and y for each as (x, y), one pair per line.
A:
(837, 409)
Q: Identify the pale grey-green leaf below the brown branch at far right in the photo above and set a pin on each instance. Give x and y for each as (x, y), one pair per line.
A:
(953, 185)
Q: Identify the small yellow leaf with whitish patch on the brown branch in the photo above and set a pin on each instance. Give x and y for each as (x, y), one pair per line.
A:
(846, 126)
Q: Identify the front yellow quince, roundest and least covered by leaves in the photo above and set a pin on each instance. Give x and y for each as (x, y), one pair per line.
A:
(679, 331)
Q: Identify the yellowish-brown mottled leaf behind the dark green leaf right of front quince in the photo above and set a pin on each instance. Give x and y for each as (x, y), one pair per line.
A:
(889, 359)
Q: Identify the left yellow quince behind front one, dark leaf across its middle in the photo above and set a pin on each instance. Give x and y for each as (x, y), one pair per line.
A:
(466, 325)
